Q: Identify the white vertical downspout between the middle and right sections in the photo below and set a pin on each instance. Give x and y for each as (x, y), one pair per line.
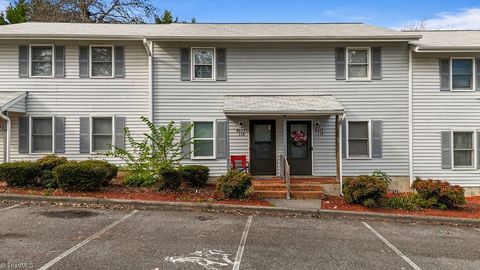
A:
(410, 113)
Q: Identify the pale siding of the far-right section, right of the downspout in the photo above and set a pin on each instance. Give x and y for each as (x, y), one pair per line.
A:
(435, 111)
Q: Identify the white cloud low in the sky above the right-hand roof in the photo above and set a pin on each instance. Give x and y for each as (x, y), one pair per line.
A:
(467, 19)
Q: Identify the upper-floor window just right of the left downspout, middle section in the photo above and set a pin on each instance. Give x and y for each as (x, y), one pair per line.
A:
(203, 64)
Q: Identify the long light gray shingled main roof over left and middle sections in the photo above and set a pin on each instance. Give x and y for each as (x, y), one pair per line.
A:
(179, 31)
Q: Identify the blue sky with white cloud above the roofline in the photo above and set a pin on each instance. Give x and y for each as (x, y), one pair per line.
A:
(437, 14)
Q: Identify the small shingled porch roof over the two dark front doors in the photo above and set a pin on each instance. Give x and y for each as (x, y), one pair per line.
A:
(282, 105)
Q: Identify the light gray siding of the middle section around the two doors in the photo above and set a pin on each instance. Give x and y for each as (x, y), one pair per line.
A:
(292, 69)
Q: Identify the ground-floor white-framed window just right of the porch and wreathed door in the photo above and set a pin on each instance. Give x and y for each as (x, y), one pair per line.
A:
(358, 136)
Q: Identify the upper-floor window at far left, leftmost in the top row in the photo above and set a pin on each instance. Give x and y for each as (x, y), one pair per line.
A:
(41, 61)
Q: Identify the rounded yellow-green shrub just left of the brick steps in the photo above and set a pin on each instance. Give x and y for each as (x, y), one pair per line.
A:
(235, 184)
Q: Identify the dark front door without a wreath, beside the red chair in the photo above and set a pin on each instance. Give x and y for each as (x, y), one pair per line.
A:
(262, 147)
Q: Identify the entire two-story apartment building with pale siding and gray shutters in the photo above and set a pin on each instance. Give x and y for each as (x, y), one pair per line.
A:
(331, 99)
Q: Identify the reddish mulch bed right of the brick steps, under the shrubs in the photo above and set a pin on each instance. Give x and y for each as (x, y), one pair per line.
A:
(470, 210)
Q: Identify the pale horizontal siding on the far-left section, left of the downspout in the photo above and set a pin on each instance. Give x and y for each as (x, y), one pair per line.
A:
(74, 97)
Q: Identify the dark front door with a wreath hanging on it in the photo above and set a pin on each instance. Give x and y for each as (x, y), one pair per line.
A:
(299, 147)
